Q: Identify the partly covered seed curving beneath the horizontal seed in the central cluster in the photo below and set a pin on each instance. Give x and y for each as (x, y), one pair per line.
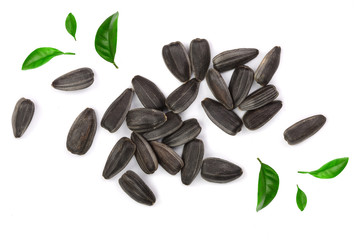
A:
(172, 124)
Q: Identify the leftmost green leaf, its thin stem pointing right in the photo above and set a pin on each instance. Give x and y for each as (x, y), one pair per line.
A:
(40, 56)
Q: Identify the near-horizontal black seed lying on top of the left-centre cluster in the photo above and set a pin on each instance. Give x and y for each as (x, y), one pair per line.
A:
(144, 119)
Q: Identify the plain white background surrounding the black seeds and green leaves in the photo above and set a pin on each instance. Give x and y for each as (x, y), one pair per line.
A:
(48, 193)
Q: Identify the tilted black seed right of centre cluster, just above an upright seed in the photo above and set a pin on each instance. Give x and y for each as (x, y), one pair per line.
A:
(189, 130)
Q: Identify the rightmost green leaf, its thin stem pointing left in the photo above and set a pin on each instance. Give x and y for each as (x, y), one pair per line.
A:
(330, 169)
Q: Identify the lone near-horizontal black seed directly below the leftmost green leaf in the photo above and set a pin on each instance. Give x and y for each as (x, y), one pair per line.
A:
(75, 80)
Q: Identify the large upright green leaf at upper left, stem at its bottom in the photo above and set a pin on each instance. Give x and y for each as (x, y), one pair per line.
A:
(106, 39)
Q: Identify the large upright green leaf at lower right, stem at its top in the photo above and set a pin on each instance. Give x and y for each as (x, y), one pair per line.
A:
(267, 187)
